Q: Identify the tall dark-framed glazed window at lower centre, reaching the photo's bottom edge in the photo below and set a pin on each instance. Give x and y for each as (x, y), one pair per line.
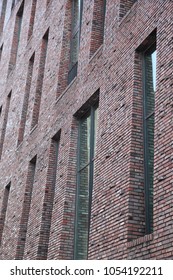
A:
(85, 170)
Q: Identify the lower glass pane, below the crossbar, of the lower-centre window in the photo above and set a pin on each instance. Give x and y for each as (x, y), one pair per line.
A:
(82, 220)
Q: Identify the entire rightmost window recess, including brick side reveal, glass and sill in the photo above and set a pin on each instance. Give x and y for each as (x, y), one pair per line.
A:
(140, 221)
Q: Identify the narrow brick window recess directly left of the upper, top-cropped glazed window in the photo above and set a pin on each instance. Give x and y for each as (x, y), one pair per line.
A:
(39, 84)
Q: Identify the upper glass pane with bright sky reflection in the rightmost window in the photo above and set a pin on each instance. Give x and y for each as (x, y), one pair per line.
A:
(150, 81)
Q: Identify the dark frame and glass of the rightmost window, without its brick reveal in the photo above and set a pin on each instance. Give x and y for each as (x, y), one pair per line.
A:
(149, 100)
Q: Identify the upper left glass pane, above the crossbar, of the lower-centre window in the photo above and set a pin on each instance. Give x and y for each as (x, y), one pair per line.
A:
(85, 142)
